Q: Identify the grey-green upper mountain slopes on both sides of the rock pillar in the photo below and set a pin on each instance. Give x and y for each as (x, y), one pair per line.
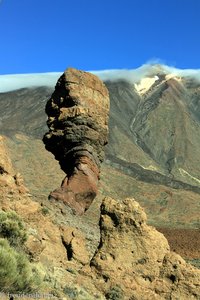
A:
(153, 123)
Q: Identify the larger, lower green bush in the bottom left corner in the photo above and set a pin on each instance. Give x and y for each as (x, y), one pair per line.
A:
(16, 273)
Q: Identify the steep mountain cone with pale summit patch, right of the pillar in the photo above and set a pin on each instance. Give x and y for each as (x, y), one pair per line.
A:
(161, 123)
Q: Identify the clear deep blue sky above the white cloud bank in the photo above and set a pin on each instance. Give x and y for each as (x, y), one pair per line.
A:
(48, 36)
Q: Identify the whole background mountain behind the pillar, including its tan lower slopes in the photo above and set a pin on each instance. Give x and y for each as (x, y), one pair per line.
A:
(153, 138)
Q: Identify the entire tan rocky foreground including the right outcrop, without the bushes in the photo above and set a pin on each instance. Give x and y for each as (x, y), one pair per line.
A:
(129, 260)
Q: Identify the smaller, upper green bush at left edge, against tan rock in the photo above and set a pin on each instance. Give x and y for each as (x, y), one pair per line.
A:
(12, 228)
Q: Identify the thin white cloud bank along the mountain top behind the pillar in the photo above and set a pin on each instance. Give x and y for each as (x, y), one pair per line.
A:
(17, 81)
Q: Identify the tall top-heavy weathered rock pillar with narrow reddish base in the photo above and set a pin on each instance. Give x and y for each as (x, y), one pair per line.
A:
(78, 130)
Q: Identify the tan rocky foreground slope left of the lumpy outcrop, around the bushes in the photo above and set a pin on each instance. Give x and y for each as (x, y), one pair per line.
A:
(50, 234)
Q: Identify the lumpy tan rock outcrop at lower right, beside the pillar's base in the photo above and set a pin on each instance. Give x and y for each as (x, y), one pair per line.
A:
(133, 260)
